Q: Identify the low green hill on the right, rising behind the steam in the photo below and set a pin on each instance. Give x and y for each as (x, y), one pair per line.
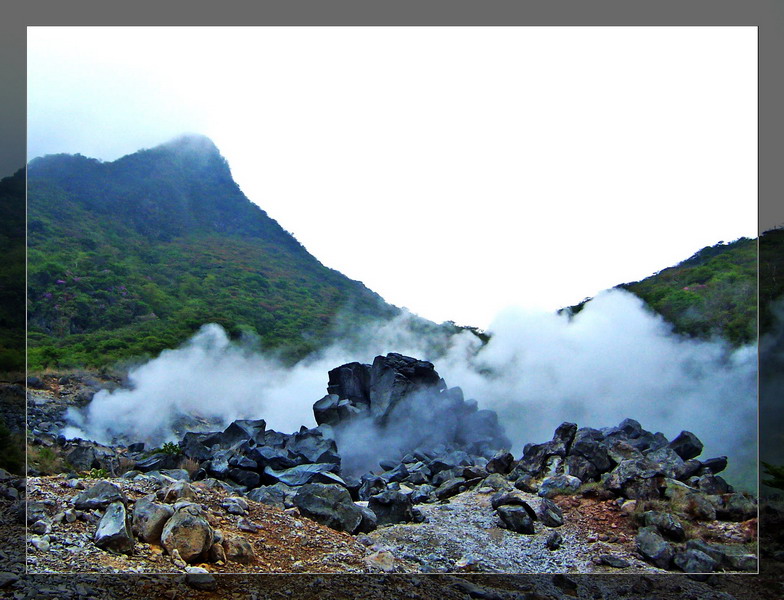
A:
(712, 293)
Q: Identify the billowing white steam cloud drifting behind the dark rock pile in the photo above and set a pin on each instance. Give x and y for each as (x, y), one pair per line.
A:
(615, 359)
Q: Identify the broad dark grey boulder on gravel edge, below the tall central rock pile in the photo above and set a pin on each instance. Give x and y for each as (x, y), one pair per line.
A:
(330, 505)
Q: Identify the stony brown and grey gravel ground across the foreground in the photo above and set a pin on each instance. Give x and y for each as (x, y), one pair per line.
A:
(588, 539)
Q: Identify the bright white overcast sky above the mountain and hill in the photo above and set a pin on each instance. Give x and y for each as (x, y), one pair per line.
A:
(456, 171)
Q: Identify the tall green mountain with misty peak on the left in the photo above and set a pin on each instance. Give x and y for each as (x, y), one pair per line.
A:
(127, 258)
